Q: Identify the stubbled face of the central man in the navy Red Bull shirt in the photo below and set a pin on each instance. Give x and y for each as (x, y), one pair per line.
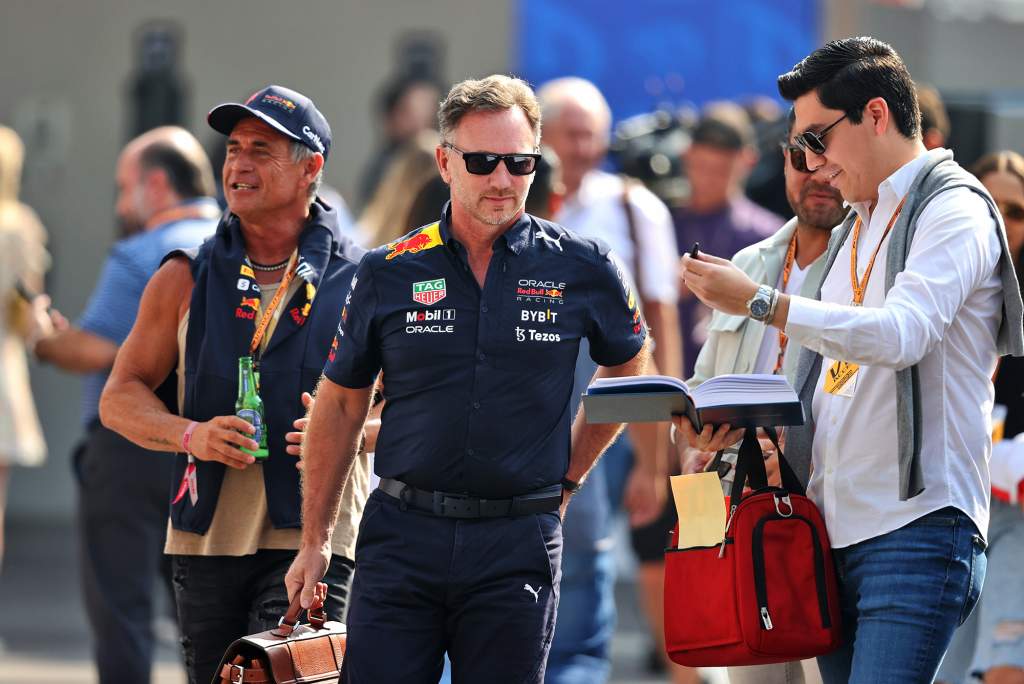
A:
(498, 198)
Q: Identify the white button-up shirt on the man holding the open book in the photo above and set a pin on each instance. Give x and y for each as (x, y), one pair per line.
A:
(944, 314)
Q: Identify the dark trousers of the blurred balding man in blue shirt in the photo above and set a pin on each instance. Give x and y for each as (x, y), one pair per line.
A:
(123, 504)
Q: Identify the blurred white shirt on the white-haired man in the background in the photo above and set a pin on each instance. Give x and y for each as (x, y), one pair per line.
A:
(598, 211)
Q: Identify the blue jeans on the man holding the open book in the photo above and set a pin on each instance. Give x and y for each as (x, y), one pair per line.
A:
(904, 594)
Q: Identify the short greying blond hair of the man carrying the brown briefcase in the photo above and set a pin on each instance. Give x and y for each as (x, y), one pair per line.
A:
(494, 94)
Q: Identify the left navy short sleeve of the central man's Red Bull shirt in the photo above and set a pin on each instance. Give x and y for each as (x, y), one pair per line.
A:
(355, 357)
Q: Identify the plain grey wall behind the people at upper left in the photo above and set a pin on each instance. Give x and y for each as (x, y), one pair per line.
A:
(66, 68)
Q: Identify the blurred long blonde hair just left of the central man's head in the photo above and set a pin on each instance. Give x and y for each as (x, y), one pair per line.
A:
(387, 218)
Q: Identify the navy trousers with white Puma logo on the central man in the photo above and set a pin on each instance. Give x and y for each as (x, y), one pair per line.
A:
(485, 590)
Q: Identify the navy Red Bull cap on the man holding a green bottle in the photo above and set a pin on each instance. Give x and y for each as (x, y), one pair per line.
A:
(284, 110)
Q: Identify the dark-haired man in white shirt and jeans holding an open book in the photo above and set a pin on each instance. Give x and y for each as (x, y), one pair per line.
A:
(918, 301)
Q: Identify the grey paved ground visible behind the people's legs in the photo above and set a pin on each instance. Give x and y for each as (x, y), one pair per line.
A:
(45, 638)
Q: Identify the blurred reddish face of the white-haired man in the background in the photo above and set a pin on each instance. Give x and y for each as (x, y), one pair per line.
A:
(580, 139)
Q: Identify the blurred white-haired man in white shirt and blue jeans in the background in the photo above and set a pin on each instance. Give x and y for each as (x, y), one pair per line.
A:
(638, 228)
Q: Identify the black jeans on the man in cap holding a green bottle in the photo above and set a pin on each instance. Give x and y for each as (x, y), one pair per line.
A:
(223, 598)
